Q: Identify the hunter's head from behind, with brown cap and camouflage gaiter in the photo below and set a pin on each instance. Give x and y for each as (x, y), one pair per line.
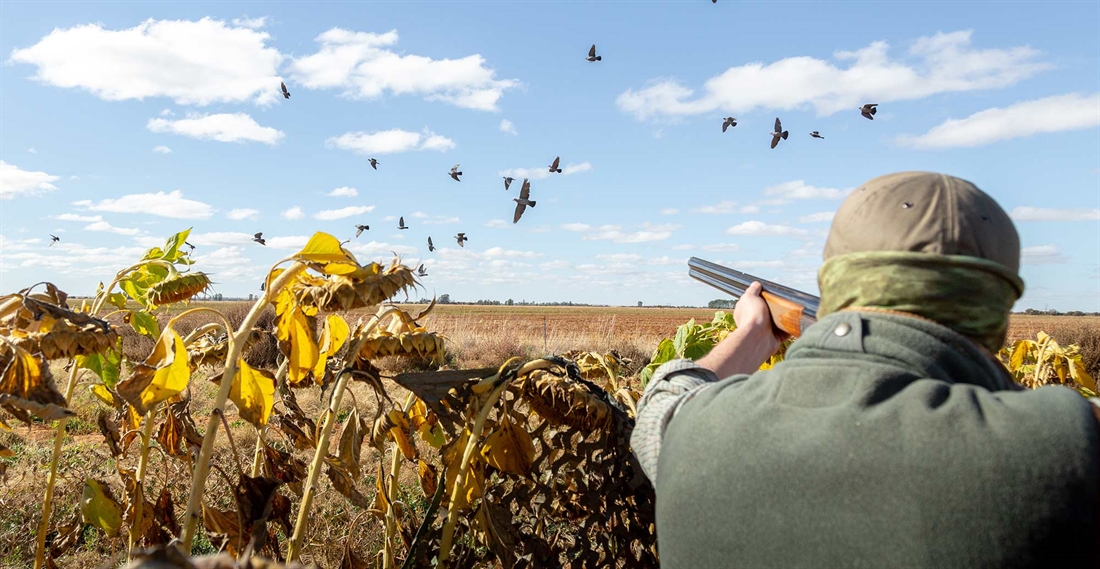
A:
(929, 245)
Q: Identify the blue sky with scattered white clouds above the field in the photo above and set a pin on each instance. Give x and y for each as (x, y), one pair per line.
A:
(124, 123)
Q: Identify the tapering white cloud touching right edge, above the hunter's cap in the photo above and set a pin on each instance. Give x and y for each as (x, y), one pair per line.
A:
(1059, 114)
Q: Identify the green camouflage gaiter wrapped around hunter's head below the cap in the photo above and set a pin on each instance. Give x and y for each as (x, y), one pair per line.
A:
(970, 296)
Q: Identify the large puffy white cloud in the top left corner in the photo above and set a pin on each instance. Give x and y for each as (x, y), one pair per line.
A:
(160, 59)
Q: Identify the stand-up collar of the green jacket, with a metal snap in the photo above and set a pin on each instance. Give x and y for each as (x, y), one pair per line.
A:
(920, 346)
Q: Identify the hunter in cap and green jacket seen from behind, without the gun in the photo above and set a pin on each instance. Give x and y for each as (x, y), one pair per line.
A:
(890, 436)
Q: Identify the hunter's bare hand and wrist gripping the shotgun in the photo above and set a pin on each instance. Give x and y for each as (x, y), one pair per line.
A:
(752, 344)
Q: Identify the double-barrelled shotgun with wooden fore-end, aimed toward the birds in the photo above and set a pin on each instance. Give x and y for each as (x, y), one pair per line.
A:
(791, 311)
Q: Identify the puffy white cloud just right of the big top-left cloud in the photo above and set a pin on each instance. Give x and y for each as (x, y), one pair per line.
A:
(364, 65)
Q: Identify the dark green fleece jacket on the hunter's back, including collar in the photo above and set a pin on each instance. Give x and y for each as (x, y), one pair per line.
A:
(882, 441)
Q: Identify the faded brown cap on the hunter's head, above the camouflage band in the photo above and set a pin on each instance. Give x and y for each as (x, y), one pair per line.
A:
(927, 213)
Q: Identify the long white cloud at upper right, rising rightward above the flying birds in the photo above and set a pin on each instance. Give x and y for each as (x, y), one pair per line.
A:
(942, 63)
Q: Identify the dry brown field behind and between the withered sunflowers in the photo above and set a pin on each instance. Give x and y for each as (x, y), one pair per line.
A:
(478, 336)
